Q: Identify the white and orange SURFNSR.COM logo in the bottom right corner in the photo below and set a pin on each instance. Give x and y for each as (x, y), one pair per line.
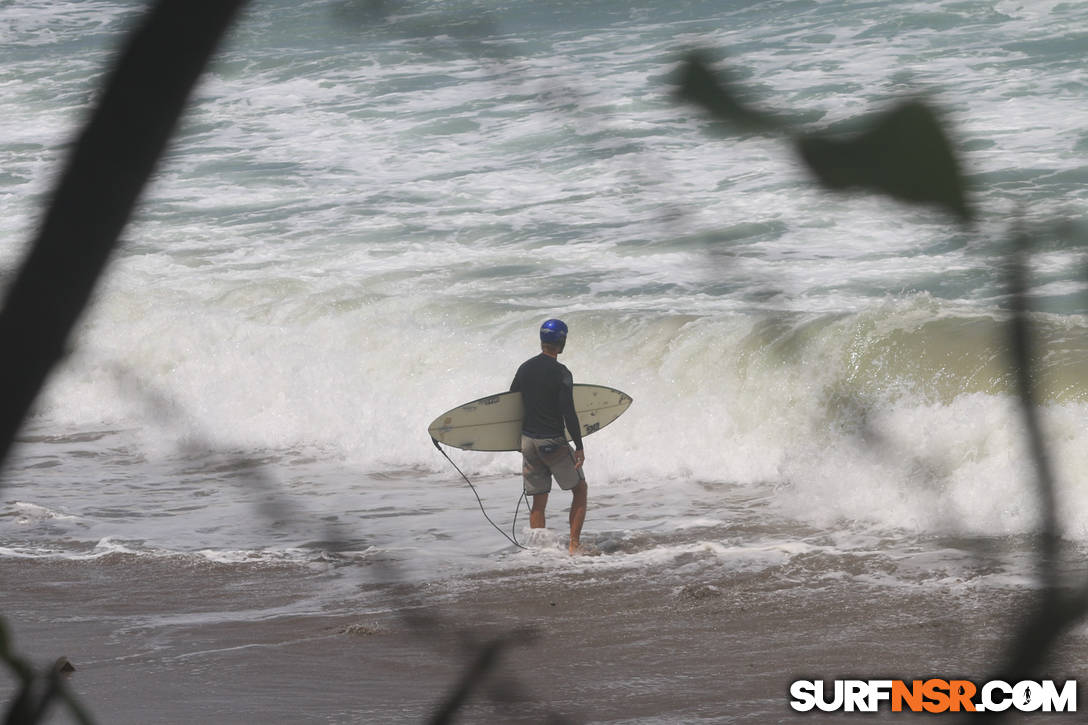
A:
(933, 696)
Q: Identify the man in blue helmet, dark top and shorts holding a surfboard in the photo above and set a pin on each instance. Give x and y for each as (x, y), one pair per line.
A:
(547, 389)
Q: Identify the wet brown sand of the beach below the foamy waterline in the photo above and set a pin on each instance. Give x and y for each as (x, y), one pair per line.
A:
(157, 642)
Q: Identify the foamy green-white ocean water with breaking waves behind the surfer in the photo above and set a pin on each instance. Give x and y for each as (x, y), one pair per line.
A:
(370, 208)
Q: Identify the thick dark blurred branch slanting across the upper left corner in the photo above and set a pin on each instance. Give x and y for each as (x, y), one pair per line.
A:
(109, 167)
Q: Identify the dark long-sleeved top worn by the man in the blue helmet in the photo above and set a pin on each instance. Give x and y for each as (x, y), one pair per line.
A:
(548, 391)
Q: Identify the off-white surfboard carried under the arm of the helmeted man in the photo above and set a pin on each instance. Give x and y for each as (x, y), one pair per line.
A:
(494, 423)
